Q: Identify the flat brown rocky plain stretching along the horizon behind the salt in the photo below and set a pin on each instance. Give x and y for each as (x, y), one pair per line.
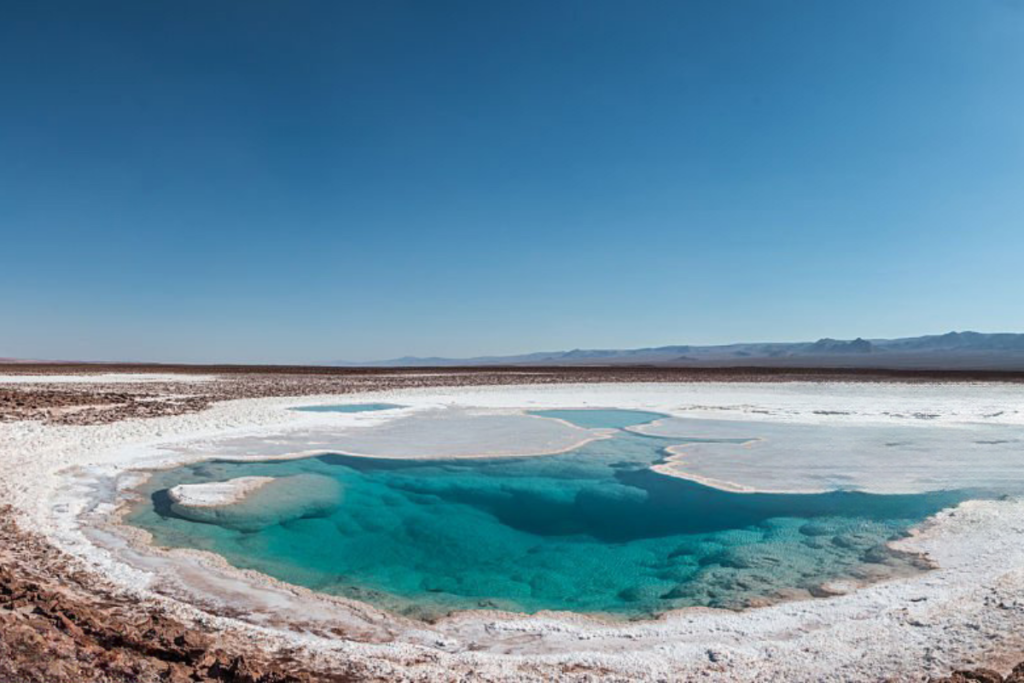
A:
(97, 404)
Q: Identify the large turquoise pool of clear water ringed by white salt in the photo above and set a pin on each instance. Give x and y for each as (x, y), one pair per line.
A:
(590, 531)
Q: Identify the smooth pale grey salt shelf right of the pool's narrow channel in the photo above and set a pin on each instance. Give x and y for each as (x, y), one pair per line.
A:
(890, 457)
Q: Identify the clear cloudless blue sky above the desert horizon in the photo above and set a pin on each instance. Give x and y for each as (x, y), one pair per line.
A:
(306, 182)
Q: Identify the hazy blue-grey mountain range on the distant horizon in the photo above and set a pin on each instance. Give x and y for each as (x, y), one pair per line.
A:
(974, 351)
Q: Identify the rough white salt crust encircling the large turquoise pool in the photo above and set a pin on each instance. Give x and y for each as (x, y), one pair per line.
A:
(966, 612)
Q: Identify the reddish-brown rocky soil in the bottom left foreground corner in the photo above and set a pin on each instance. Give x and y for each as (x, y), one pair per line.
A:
(59, 625)
